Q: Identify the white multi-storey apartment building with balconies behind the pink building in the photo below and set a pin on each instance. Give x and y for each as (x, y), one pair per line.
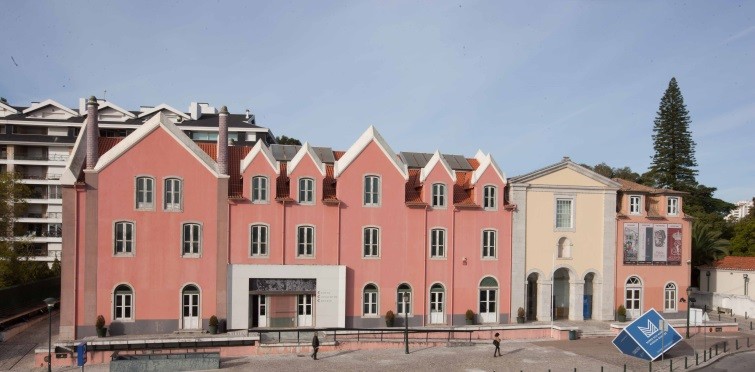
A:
(36, 140)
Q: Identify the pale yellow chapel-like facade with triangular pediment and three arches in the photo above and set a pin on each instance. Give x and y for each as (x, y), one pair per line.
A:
(564, 243)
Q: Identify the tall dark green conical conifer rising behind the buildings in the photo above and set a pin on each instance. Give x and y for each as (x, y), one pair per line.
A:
(674, 163)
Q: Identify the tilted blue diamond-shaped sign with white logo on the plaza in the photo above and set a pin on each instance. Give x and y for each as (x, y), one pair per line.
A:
(648, 337)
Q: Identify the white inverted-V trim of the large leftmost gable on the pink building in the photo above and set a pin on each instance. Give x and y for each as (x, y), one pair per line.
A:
(158, 121)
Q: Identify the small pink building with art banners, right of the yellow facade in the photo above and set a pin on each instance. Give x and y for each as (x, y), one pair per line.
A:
(653, 259)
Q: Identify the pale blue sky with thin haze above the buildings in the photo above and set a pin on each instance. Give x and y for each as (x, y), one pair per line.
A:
(529, 82)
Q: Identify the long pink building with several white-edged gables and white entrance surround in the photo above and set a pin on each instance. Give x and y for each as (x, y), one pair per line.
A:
(161, 233)
